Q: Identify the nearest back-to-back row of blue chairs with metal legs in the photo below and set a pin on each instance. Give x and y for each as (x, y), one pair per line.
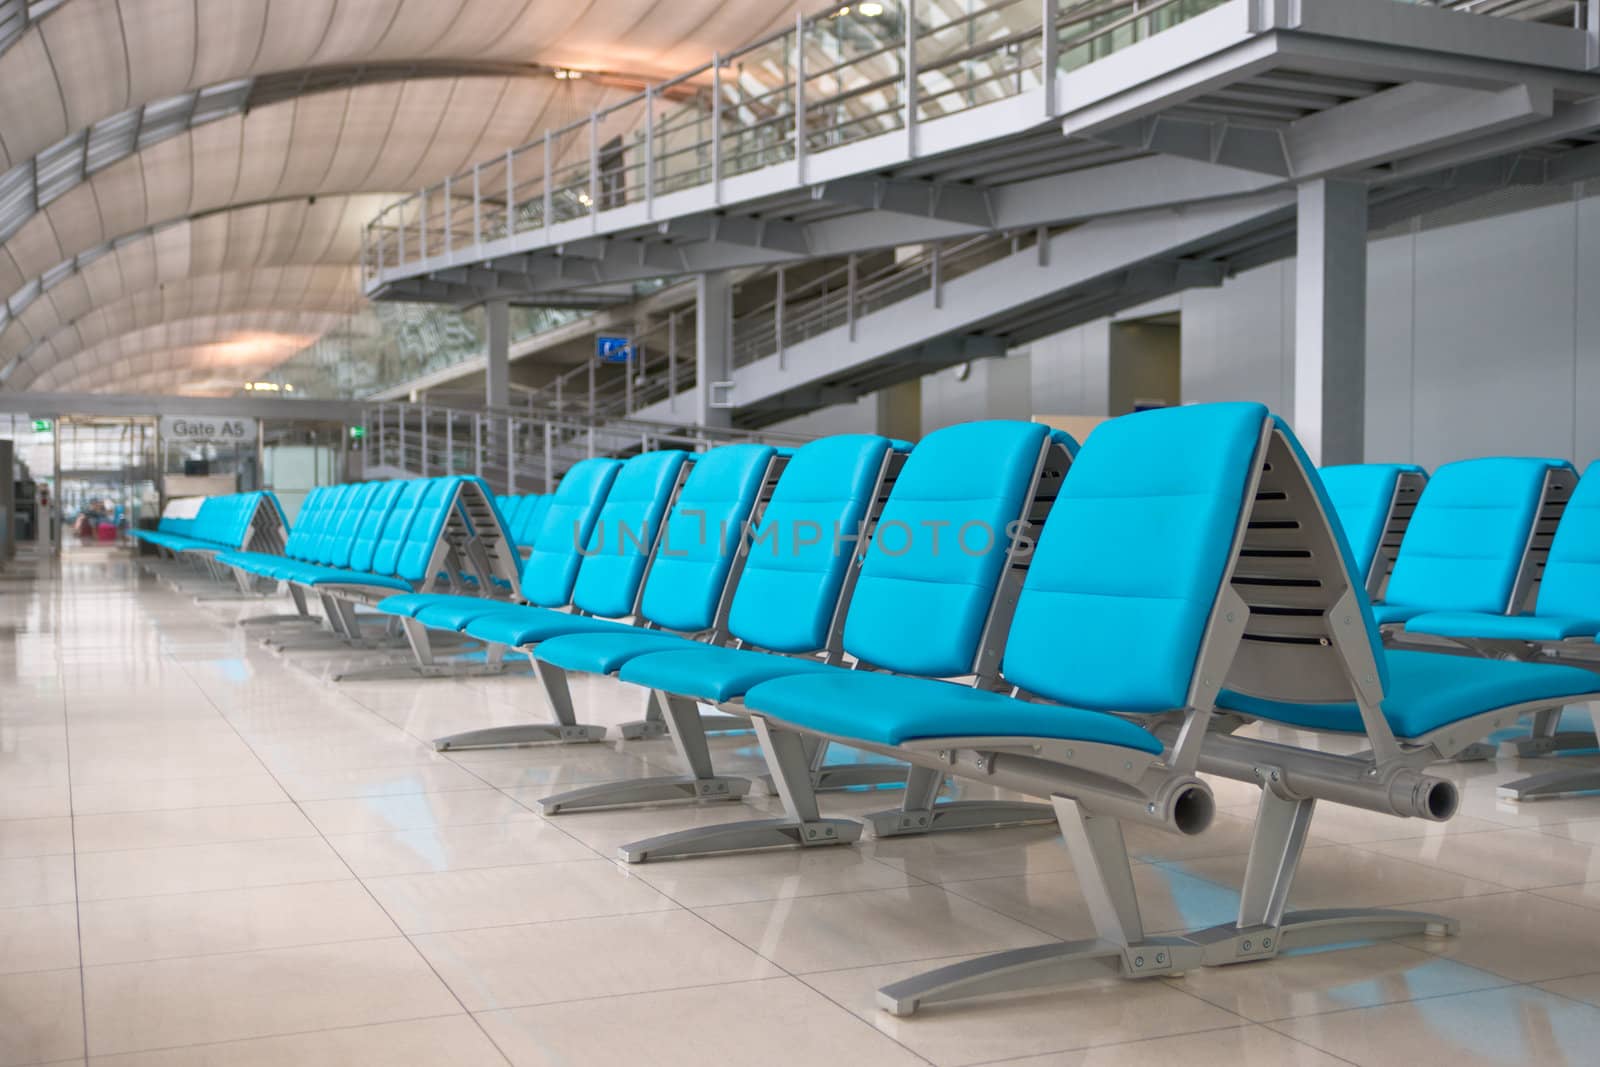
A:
(1090, 628)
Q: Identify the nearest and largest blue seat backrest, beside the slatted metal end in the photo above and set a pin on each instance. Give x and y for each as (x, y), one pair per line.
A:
(1116, 601)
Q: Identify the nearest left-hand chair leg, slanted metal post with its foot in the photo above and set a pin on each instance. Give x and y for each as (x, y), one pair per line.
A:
(1100, 858)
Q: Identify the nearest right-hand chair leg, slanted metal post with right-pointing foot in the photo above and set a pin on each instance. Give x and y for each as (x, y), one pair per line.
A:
(1266, 927)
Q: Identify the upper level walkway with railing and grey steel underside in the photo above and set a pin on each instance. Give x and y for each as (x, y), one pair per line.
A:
(921, 122)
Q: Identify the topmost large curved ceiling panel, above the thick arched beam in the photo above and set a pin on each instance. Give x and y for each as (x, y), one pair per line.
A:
(90, 60)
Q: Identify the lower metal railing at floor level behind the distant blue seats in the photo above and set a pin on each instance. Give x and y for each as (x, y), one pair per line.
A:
(519, 452)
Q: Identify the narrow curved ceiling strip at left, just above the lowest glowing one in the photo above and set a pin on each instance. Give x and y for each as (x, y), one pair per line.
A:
(319, 289)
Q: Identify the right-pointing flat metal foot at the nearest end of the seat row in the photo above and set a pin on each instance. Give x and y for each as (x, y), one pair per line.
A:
(1231, 943)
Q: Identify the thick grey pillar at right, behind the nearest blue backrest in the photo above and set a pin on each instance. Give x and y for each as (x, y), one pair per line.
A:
(1330, 322)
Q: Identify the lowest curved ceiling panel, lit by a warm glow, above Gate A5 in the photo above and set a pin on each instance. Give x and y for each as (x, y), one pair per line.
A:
(222, 350)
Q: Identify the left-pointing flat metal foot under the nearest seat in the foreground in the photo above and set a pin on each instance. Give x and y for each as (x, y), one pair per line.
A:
(1038, 969)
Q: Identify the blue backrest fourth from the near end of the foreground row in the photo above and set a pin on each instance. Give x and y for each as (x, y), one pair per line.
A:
(702, 538)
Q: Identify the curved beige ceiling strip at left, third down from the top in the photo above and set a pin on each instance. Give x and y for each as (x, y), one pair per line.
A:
(292, 233)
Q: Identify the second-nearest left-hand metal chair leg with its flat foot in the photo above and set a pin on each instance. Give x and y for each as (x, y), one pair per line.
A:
(802, 826)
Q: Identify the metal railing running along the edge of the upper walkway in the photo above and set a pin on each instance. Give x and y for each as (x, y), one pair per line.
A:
(852, 73)
